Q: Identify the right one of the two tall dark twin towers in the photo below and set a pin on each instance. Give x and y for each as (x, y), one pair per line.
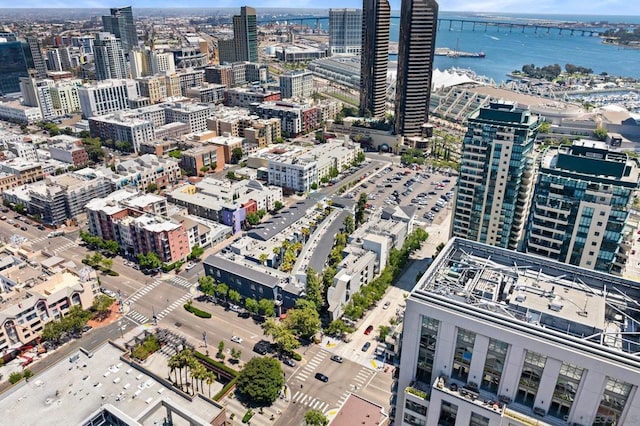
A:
(416, 46)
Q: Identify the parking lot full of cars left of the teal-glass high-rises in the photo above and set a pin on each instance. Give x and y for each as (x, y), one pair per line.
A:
(430, 191)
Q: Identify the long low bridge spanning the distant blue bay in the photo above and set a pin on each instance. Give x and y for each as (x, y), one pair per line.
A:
(469, 24)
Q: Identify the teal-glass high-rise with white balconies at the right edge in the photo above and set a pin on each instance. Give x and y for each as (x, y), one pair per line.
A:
(581, 204)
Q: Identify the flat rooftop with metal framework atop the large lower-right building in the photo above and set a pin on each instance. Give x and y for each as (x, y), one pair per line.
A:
(535, 292)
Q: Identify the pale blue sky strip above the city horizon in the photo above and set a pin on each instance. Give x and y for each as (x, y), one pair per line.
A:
(581, 7)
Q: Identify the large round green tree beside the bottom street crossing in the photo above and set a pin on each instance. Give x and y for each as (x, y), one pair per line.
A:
(261, 381)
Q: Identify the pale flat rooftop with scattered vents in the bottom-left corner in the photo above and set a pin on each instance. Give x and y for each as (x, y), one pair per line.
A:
(74, 389)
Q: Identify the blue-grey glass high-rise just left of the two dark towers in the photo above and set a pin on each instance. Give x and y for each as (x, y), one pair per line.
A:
(345, 31)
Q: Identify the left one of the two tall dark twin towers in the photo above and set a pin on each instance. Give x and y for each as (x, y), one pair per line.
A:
(376, 18)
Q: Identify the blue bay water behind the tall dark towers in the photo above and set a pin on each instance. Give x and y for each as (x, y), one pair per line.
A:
(508, 51)
